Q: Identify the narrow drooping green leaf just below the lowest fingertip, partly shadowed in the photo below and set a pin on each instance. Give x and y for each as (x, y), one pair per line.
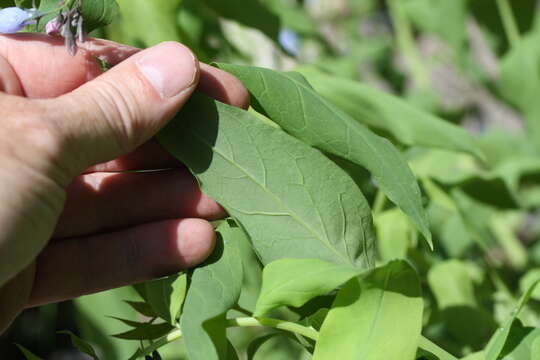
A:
(214, 289)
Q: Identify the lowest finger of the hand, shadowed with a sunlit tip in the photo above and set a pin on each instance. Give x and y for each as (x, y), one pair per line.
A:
(75, 267)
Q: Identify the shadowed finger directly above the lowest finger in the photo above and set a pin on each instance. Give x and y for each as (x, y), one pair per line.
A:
(103, 201)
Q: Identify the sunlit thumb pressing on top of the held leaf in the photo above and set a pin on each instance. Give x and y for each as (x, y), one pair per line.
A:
(124, 107)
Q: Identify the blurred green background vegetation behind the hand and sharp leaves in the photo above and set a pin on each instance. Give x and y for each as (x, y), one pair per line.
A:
(407, 69)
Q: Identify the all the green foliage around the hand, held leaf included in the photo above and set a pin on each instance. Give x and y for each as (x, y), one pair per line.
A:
(378, 129)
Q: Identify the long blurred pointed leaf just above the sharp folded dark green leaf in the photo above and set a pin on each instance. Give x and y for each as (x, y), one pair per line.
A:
(406, 123)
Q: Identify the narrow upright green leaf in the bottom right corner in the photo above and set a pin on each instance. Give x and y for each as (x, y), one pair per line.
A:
(498, 343)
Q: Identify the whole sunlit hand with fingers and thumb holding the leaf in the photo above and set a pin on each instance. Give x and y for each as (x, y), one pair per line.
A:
(73, 221)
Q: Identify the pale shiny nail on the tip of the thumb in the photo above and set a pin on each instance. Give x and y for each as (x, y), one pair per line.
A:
(170, 67)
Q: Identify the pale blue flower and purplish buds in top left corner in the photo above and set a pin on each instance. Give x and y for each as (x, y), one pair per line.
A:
(68, 23)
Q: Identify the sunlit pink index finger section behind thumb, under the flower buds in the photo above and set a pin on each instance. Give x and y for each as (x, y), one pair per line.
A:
(44, 69)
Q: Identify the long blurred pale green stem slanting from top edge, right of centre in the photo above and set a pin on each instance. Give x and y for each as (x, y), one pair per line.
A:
(407, 43)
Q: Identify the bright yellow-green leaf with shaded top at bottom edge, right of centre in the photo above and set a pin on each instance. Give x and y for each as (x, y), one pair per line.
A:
(376, 317)
